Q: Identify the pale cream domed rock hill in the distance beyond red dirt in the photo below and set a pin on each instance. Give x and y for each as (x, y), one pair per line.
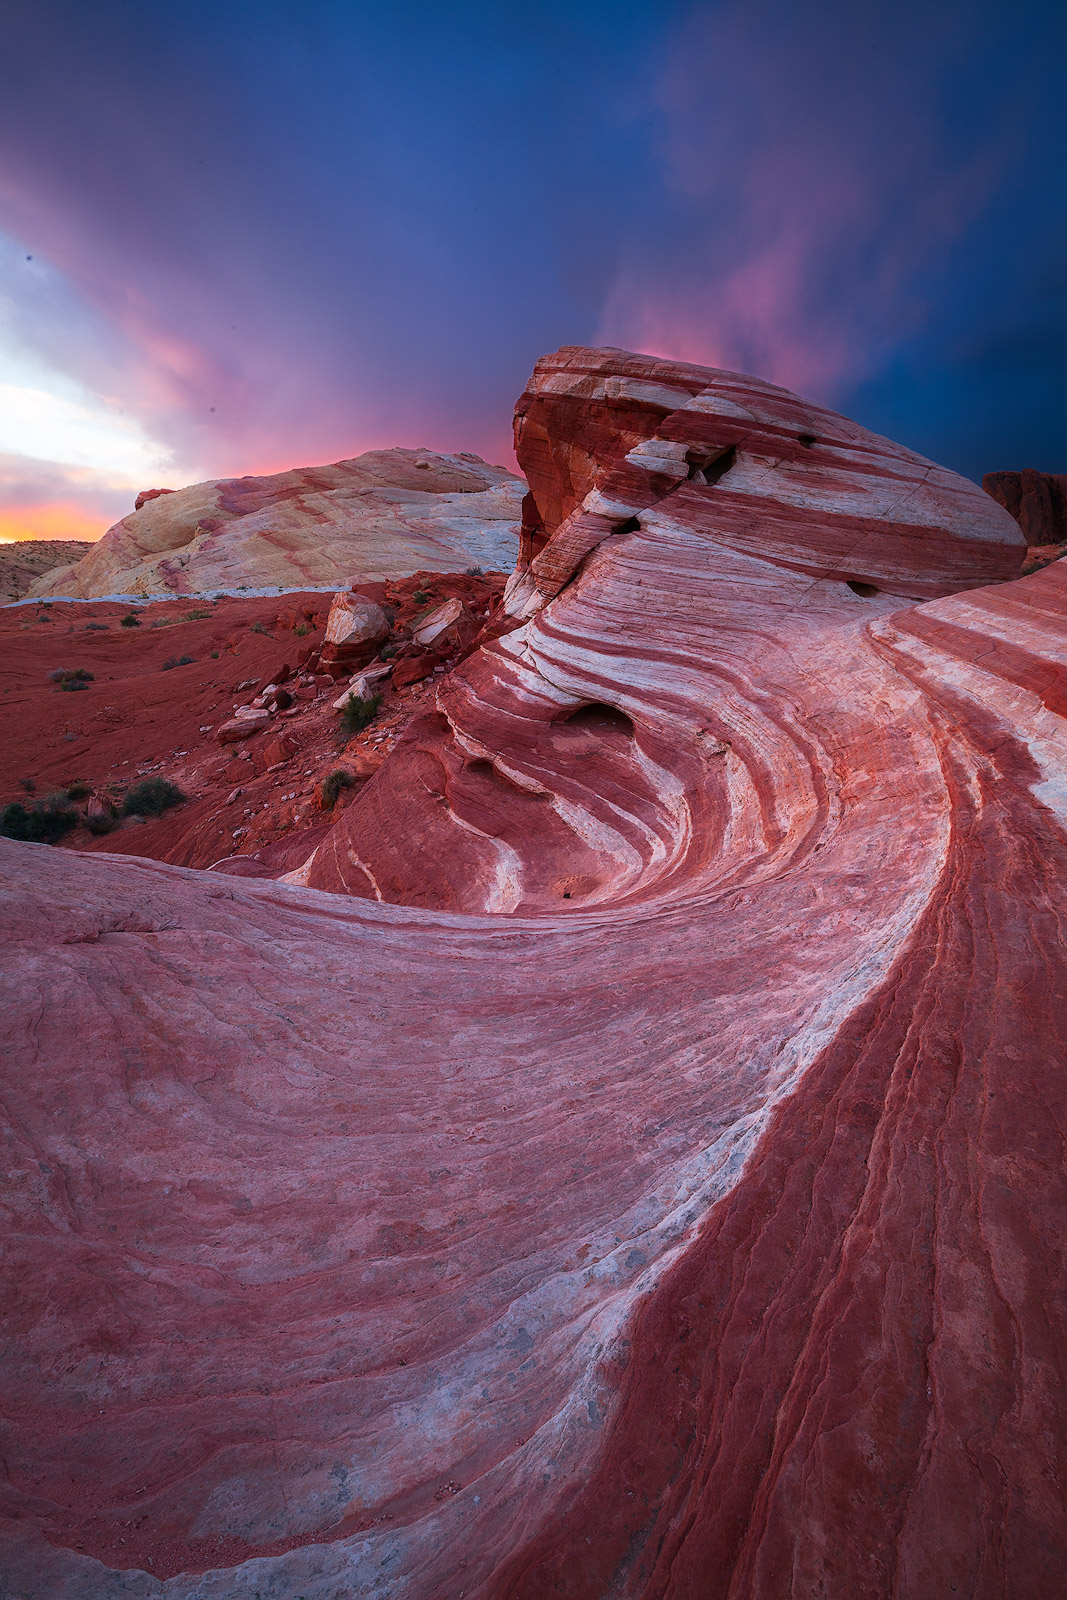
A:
(383, 514)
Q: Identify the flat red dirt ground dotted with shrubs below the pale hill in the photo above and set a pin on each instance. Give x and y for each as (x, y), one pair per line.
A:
(138, 719)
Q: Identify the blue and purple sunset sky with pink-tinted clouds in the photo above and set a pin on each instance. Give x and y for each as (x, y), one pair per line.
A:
(239, 236)
